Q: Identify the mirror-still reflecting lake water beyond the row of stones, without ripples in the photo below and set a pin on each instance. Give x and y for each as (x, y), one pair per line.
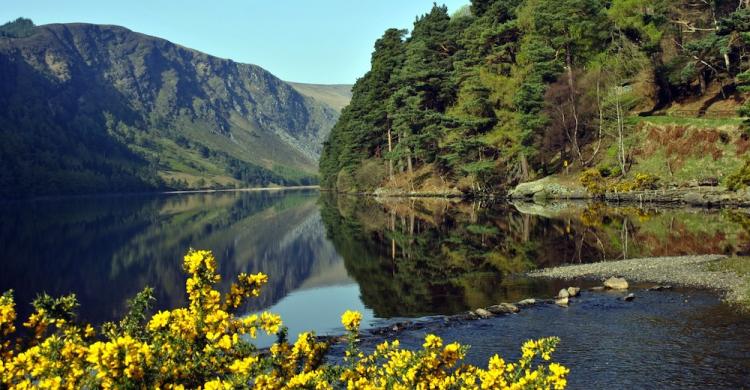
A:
(390, 258)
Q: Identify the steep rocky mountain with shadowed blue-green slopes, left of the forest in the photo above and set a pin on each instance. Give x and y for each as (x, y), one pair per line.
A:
(94, 108)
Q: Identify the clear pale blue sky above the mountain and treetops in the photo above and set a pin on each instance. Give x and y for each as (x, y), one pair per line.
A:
(314, 41)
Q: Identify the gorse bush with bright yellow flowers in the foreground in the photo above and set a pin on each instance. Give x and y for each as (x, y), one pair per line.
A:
(207, 345)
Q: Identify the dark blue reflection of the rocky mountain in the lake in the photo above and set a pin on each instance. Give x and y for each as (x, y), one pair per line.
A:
(108, 248)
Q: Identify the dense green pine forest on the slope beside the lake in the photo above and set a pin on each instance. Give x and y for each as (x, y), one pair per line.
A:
(504, 91)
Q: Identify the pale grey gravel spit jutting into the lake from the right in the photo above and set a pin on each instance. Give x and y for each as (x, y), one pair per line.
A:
(689, 271)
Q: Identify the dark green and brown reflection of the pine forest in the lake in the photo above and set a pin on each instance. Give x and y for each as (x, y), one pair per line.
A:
(431, 256)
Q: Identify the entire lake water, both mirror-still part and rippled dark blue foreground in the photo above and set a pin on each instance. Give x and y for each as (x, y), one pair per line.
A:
(401, 260)
